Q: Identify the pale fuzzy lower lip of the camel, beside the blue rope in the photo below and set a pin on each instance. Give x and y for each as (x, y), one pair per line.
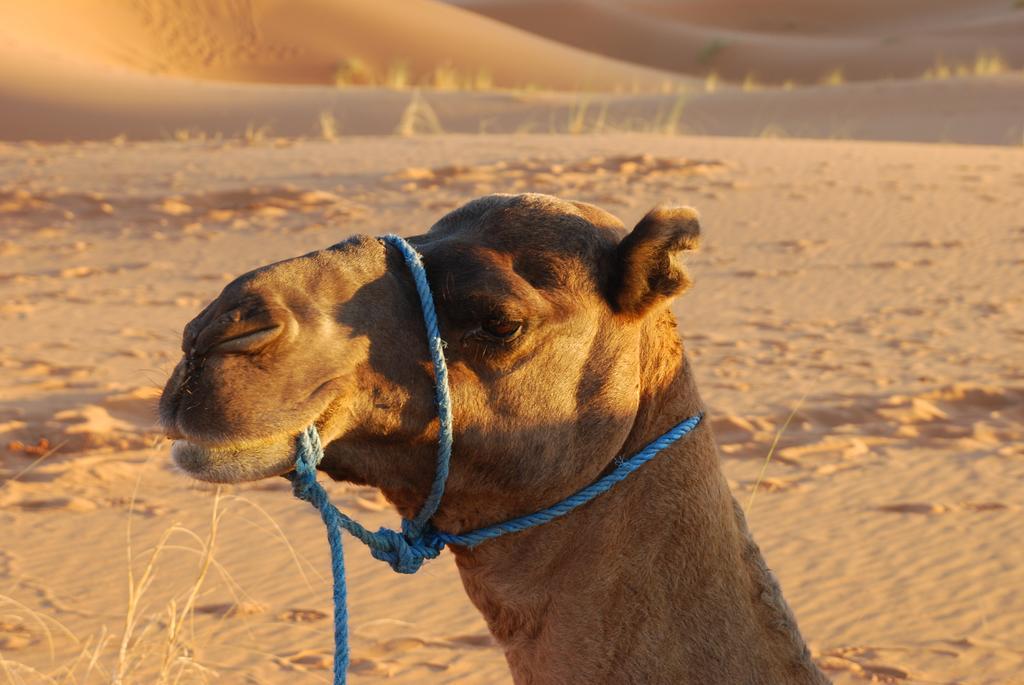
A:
(235, 464)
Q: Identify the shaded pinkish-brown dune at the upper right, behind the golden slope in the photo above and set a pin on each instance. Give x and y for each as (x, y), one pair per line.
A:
(800, 40)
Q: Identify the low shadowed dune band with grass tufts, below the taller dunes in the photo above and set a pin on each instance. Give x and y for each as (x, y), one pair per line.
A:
(55, 101)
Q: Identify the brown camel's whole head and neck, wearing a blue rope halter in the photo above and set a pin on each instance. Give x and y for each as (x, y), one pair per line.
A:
(564, 356)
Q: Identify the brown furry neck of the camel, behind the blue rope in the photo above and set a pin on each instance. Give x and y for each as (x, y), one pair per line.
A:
(657, 581)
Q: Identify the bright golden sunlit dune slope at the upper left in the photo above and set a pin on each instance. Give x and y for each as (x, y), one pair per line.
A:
(308, 41)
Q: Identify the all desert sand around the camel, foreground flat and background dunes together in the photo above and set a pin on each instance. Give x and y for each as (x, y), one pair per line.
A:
(859, 295)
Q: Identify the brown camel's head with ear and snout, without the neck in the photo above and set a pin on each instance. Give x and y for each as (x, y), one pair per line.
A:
(553, 317)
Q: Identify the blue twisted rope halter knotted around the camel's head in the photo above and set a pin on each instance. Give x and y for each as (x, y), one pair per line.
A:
(418, 541)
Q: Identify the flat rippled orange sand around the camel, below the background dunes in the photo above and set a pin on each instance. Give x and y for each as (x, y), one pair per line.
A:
(872, 291)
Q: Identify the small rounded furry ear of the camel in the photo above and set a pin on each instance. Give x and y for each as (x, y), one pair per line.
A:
(648, 274)
